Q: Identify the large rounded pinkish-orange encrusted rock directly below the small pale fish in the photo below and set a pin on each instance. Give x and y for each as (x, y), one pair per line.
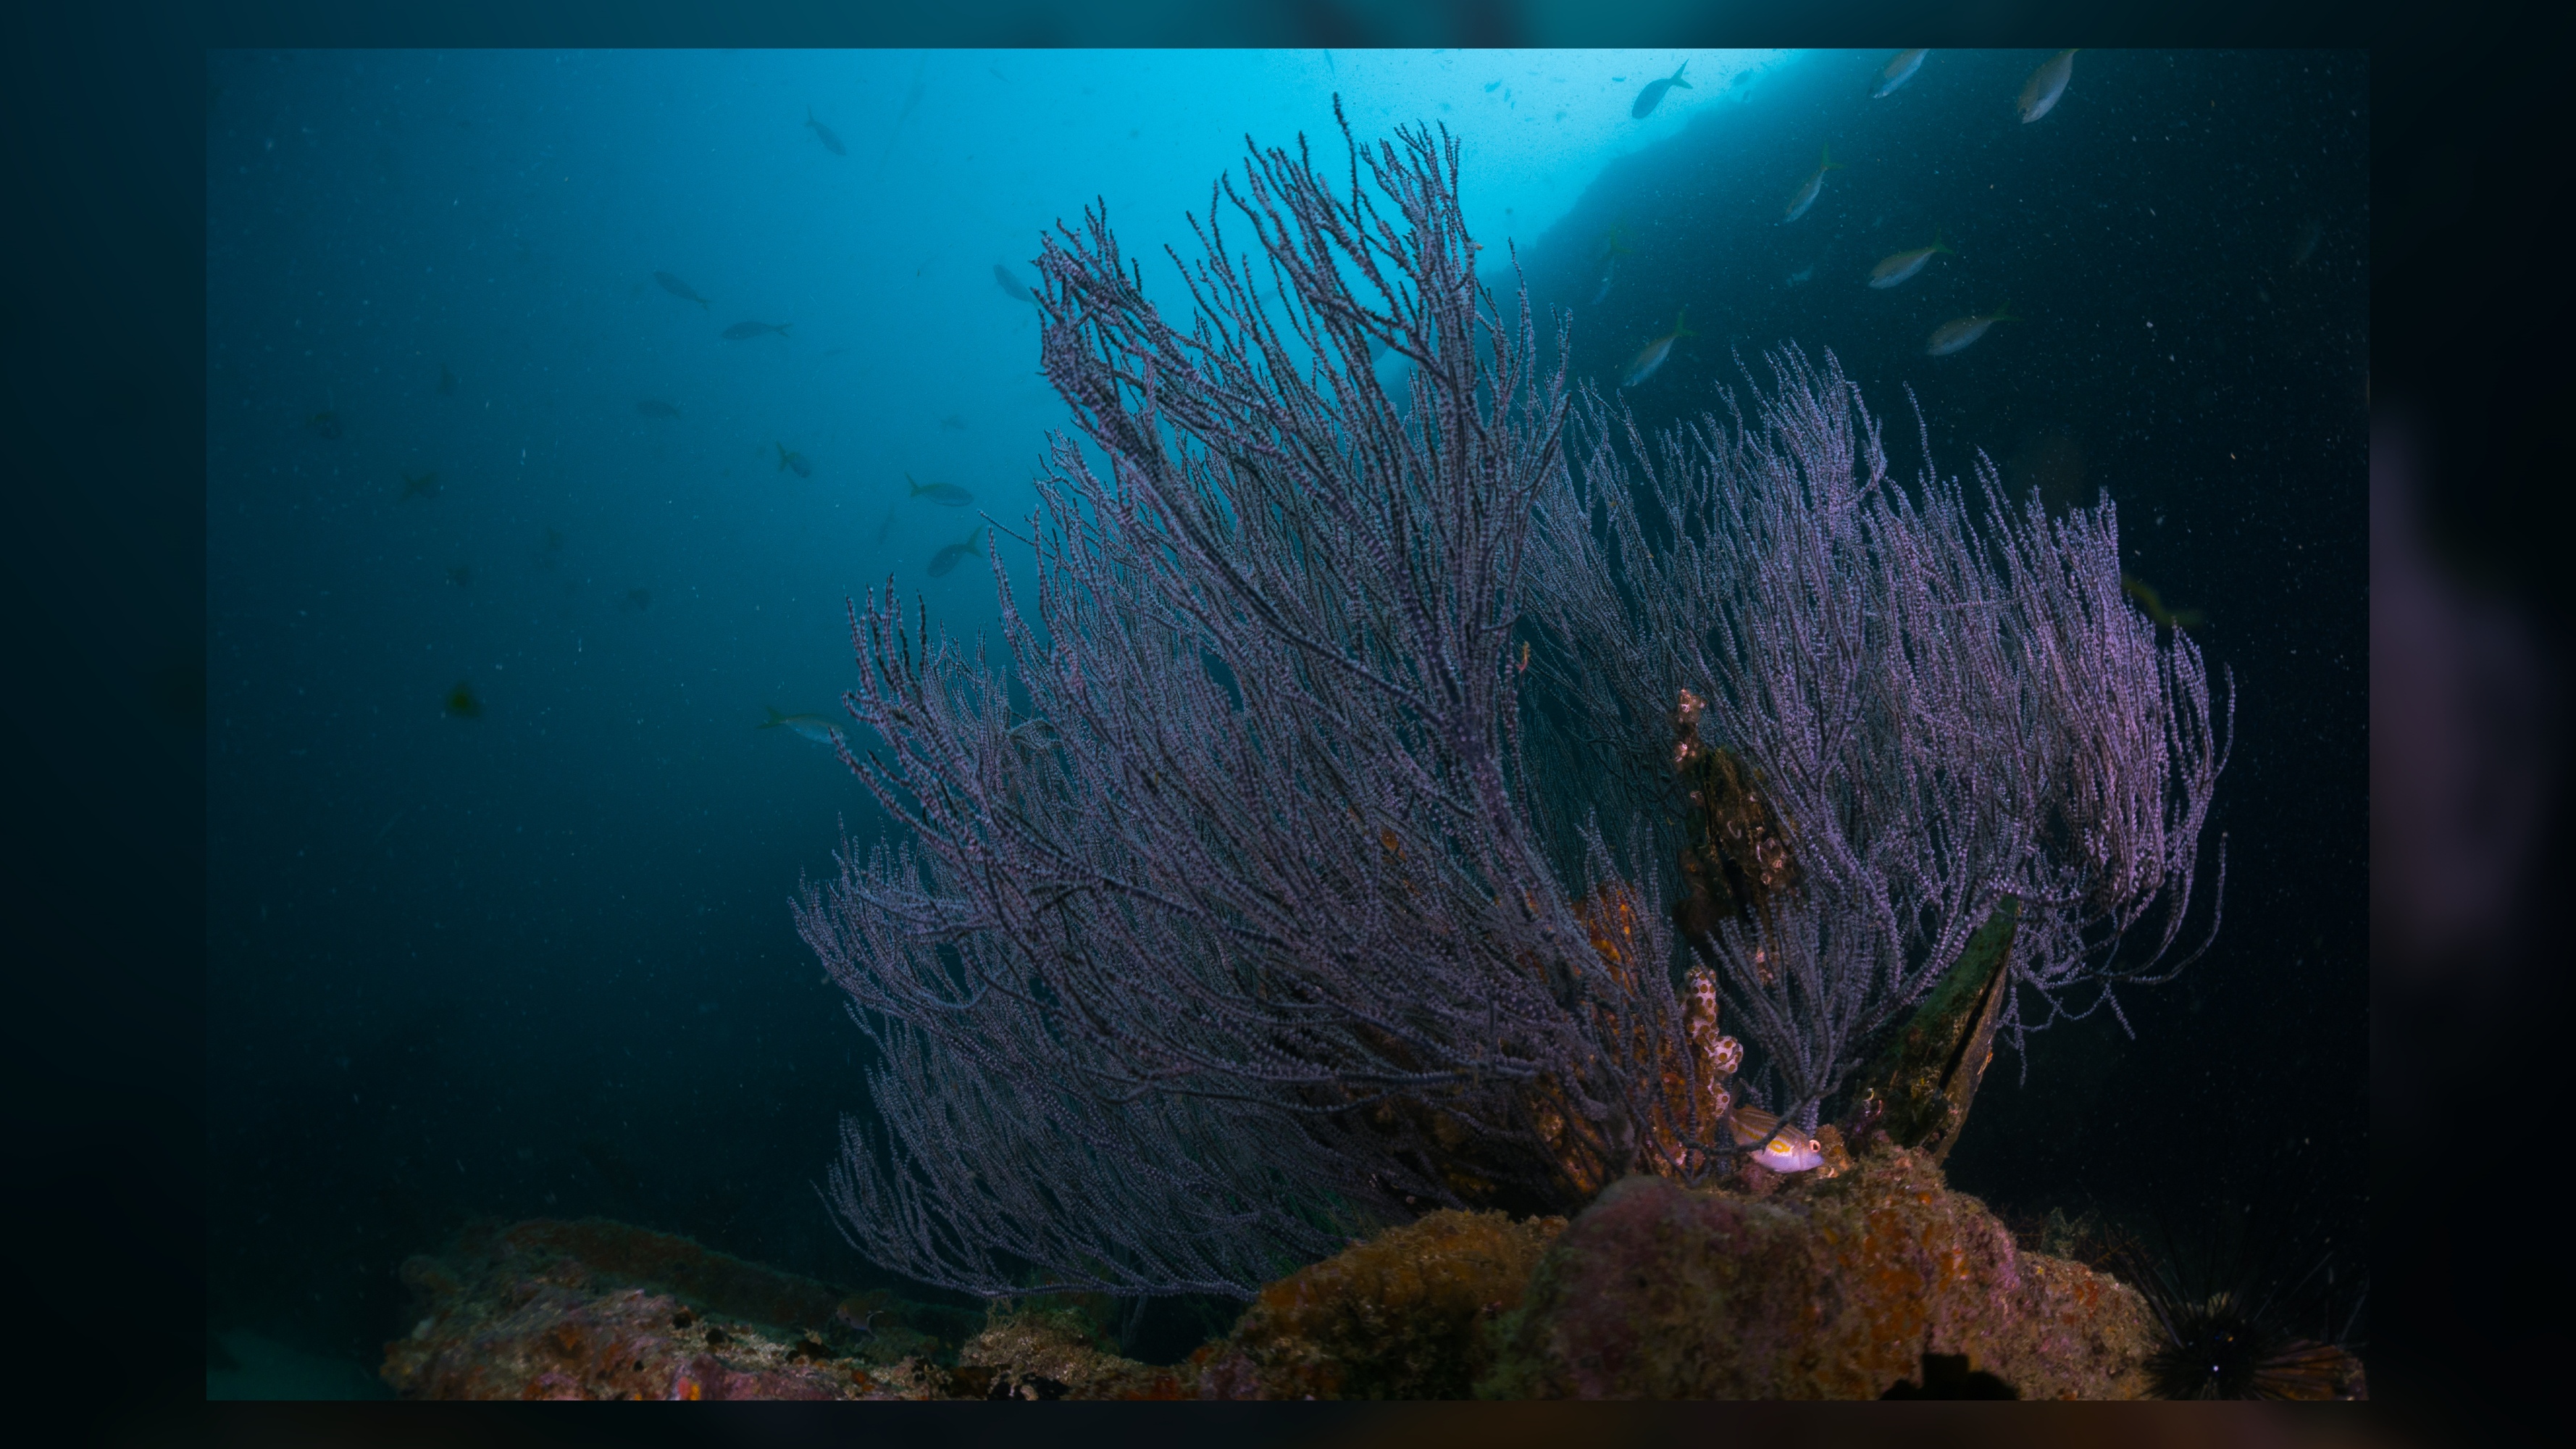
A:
(1833, 1288)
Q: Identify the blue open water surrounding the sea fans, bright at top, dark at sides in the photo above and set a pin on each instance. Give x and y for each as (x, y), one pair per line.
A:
(540, 960)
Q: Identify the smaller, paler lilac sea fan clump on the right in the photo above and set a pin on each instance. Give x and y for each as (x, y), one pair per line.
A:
(1941, 713)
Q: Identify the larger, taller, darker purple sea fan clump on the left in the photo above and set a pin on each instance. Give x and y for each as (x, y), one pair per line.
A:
(1220, 927)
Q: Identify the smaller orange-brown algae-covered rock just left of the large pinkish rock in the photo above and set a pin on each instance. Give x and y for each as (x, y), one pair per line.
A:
(1408, 1314)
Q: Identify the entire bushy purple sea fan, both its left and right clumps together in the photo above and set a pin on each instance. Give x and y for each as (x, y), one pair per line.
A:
(1312, 860)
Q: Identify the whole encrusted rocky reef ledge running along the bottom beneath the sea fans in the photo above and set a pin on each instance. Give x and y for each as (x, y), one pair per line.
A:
(1861, 1280)
